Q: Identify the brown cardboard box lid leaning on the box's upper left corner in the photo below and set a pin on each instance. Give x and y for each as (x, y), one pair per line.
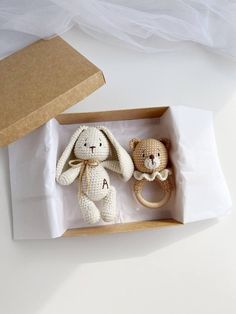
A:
(39, 82)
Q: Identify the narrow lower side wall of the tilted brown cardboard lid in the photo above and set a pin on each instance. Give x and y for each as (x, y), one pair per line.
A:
(48, 111)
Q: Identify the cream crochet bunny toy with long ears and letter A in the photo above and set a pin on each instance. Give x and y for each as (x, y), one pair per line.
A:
(94, 149)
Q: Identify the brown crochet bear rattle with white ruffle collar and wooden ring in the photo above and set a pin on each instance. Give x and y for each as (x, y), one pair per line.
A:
(150, 158)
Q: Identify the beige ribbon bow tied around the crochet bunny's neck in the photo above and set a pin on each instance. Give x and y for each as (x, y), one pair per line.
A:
(75, 163)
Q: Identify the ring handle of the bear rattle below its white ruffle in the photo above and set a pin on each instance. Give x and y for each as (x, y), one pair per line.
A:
(138, 188)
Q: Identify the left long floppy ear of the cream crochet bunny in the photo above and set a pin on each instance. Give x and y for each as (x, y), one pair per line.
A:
(64, 159)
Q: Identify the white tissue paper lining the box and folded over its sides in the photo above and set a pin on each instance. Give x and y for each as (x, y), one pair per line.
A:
(43, 209)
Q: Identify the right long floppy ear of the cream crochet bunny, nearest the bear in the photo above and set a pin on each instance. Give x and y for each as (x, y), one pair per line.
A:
(125, 162)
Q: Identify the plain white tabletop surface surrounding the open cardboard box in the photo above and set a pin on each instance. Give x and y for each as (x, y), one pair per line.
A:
(187, 269)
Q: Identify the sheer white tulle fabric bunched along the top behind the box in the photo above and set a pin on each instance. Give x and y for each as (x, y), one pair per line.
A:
(149, 26)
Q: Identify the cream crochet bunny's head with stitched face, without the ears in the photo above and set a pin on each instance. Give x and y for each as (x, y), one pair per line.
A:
(92, 144)
